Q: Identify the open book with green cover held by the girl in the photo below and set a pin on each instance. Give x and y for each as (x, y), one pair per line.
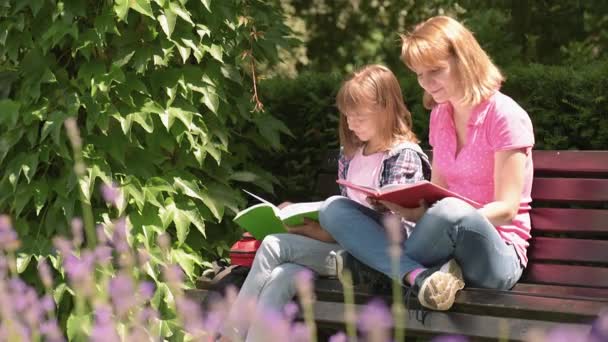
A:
(265, 218)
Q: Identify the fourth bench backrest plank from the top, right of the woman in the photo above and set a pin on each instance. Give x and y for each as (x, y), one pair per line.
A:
(568, 250)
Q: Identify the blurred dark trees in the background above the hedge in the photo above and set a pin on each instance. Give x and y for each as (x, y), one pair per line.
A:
(343, 34)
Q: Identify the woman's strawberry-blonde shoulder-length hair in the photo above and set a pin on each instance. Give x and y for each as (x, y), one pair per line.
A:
(435, 41)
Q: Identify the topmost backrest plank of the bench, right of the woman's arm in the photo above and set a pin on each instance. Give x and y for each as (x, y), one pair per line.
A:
(571, 161)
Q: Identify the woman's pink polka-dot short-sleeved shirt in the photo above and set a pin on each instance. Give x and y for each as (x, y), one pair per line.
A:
(497, 124)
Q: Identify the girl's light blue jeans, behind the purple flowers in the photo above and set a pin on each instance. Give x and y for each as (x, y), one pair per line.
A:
(271, 280)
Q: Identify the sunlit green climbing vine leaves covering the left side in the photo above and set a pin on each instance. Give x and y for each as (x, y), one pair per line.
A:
(162, 93)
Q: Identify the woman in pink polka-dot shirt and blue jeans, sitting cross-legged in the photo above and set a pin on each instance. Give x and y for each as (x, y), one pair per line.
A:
(481, 143)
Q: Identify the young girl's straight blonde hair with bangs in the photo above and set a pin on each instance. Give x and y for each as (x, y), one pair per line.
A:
(376, 89)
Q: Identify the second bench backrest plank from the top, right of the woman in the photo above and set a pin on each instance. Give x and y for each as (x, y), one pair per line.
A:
(570, 189)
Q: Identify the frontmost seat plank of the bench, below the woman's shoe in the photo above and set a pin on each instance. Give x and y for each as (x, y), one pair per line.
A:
(331, 314)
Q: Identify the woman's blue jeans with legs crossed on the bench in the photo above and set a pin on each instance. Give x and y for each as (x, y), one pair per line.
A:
(449, 229)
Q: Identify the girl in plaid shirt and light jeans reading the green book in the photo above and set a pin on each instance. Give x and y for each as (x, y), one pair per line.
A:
(378, 148)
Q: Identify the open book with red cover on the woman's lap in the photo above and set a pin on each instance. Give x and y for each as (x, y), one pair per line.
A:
(408, 195)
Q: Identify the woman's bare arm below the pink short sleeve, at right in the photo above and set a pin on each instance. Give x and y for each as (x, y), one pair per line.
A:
(509, 169)
